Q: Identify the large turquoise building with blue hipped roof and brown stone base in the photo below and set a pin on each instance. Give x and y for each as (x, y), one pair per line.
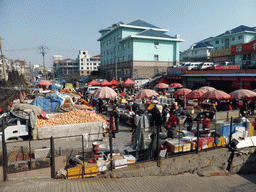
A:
(137, 49)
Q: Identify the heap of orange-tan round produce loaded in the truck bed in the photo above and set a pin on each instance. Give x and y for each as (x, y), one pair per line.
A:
(73, 117)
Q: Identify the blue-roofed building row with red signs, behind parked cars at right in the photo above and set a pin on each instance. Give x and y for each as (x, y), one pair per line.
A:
(235, 45)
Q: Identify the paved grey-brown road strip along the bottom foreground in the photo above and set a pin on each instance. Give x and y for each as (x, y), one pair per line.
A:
(187, 182)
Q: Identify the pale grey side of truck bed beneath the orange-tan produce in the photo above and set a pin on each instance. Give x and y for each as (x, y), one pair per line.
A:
(74, 129)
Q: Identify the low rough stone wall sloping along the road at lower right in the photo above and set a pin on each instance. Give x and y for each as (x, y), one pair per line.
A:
(192, 163)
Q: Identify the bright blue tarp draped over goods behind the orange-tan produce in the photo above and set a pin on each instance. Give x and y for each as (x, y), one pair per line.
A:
(50, 102)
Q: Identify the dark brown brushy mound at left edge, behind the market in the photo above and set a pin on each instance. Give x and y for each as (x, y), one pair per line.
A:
(12, 89)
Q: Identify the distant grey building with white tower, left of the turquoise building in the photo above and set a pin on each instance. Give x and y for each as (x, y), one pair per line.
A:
(83, 65)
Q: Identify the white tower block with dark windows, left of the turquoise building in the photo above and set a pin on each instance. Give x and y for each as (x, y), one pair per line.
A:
(87, 64)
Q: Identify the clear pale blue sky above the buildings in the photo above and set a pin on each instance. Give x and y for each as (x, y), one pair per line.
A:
(67, 26)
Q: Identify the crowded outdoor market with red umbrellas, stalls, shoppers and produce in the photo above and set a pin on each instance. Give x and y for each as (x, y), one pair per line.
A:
(164, 121)
